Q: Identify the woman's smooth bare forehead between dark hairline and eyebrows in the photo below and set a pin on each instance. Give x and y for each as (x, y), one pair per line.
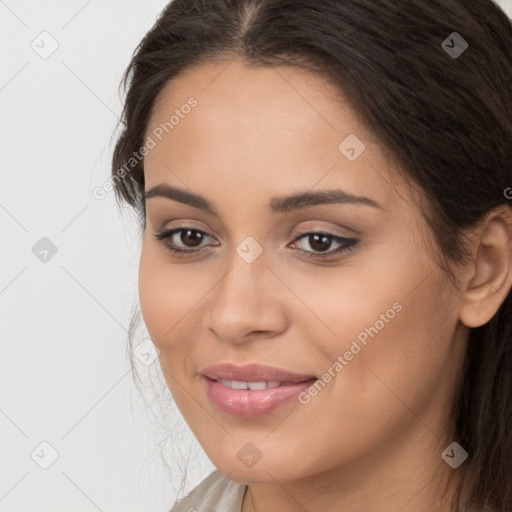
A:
(273, 127)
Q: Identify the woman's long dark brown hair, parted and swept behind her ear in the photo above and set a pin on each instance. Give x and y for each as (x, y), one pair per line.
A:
(447, 122)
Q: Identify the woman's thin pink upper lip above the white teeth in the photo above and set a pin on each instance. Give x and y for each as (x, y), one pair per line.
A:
(252, 373)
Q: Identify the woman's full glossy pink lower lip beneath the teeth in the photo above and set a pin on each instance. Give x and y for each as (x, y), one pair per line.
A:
(248, 403)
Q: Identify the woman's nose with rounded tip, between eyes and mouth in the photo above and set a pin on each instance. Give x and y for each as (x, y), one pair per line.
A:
(246, 303)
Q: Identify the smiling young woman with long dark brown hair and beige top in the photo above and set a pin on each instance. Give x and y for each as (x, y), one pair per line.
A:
(326, 265)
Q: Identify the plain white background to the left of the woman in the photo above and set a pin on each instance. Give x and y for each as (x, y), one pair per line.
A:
(64, 374)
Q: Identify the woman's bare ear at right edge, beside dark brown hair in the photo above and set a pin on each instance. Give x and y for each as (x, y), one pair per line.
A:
(489, 278)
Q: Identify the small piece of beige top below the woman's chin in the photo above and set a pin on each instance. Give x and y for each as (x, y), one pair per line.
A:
(215, 493)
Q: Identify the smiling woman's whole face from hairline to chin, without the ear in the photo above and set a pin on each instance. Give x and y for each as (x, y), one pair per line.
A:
(342, 294)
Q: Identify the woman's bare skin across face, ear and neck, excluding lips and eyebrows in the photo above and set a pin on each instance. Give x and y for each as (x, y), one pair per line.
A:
(372, 439)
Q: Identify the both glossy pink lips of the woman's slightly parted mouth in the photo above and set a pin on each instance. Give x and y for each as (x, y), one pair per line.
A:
(250, 403)
